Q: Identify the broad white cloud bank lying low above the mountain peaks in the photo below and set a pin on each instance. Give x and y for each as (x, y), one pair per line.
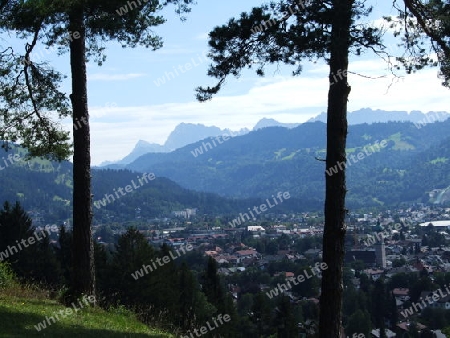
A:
(115, 130)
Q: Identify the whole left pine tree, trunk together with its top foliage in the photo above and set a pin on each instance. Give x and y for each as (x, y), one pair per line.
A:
(81, 27)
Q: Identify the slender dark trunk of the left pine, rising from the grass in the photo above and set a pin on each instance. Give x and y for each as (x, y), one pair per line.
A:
(83, 279)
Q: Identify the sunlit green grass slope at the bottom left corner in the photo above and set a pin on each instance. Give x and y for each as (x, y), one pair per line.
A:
(21, 310)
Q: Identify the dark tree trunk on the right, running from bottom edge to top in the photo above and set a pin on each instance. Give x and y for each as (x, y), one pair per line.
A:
(334, 232)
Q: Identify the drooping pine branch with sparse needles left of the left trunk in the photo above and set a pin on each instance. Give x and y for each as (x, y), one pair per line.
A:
(28, 91)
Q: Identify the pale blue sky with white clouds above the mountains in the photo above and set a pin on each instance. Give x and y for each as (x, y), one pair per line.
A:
(127, 103)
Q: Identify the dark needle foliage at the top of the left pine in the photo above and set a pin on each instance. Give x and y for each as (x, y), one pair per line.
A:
(102, 21)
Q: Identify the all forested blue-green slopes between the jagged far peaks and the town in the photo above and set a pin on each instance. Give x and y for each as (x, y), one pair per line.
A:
(387, 164)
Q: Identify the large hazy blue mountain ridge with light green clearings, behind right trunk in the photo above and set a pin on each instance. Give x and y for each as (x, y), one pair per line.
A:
(273, 159)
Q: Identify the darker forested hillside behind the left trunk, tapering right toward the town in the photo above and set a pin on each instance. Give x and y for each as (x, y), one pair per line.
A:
(47, 186)
